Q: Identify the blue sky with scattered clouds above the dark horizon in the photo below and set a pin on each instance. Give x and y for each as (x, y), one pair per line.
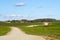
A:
(29, 9)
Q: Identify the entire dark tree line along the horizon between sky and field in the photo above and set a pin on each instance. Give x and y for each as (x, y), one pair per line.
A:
(36, 20)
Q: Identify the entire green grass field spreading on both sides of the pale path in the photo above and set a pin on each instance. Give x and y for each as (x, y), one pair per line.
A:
(52, 29)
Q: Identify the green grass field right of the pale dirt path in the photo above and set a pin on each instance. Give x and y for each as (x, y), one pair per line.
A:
(53, 29)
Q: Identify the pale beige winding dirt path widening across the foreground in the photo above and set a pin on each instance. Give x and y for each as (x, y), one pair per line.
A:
(18, 34)
